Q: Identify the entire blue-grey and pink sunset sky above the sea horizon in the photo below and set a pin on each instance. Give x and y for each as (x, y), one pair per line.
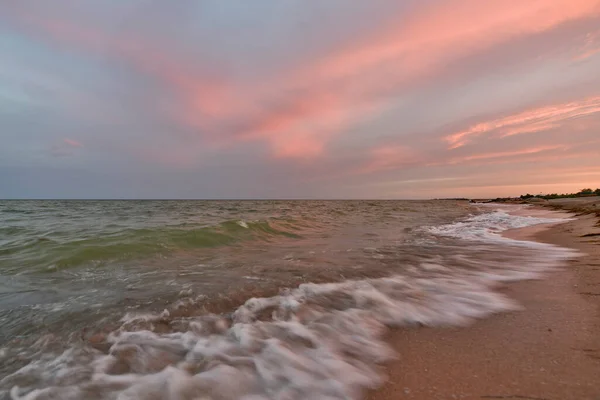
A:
(298, 98)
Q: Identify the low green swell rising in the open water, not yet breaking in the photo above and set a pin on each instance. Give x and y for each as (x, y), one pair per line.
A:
(51, 252)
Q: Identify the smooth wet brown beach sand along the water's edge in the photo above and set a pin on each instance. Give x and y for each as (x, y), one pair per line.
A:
(548, 351)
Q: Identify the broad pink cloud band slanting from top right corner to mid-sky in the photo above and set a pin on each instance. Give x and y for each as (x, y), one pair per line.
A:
(357, 77)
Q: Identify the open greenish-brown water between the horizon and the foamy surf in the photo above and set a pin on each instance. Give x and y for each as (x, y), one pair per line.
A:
(67, 264)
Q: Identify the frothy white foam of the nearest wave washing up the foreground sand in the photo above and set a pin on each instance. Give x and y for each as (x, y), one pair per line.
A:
(323, 341)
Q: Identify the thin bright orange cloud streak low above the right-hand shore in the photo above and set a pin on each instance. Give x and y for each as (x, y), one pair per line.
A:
(530, 121)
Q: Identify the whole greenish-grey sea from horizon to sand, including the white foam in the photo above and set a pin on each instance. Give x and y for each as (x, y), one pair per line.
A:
(184, 300)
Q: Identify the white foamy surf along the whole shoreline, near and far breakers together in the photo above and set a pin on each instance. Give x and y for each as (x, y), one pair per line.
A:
(321, 341)
